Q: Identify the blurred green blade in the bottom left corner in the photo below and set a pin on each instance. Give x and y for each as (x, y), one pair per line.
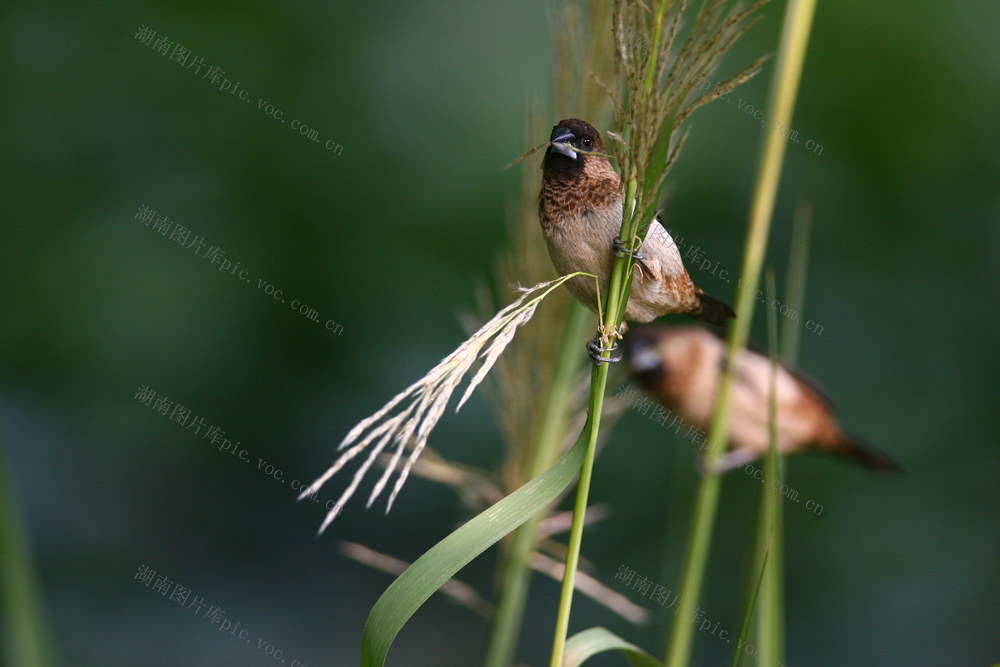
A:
(25, 640)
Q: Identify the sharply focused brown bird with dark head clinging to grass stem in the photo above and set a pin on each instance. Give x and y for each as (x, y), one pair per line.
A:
(580, 208)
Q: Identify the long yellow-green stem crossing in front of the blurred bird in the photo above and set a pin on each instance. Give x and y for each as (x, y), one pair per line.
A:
(795, 32)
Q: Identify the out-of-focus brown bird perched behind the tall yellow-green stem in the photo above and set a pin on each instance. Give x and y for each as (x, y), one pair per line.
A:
(681, 368)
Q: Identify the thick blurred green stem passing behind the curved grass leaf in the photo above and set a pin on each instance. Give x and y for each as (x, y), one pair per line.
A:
(551, 433)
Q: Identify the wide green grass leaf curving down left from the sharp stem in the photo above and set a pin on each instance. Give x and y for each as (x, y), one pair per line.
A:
(405, 595)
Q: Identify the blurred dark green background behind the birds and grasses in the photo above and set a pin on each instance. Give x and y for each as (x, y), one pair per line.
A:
(387, 237)
